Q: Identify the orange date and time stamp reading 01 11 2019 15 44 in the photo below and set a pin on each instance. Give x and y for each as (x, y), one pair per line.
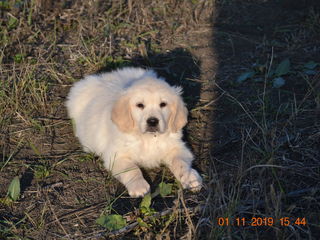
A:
(261, 221)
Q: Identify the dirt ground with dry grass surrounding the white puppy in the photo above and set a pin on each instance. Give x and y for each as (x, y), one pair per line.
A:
(250, 73)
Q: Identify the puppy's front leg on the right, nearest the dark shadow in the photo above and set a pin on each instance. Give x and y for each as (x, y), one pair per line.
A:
(179, 162)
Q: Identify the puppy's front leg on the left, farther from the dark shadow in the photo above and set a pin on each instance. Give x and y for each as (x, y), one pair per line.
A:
(130, 175)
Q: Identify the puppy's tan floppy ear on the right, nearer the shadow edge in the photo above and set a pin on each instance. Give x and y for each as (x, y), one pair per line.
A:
(179, 115)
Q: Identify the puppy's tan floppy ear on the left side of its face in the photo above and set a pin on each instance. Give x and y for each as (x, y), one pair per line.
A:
(121, 114)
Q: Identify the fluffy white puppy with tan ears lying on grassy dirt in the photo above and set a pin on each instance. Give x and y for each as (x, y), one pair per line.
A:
(132, 119)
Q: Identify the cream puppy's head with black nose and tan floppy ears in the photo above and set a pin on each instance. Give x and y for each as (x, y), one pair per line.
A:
(150, 106)
